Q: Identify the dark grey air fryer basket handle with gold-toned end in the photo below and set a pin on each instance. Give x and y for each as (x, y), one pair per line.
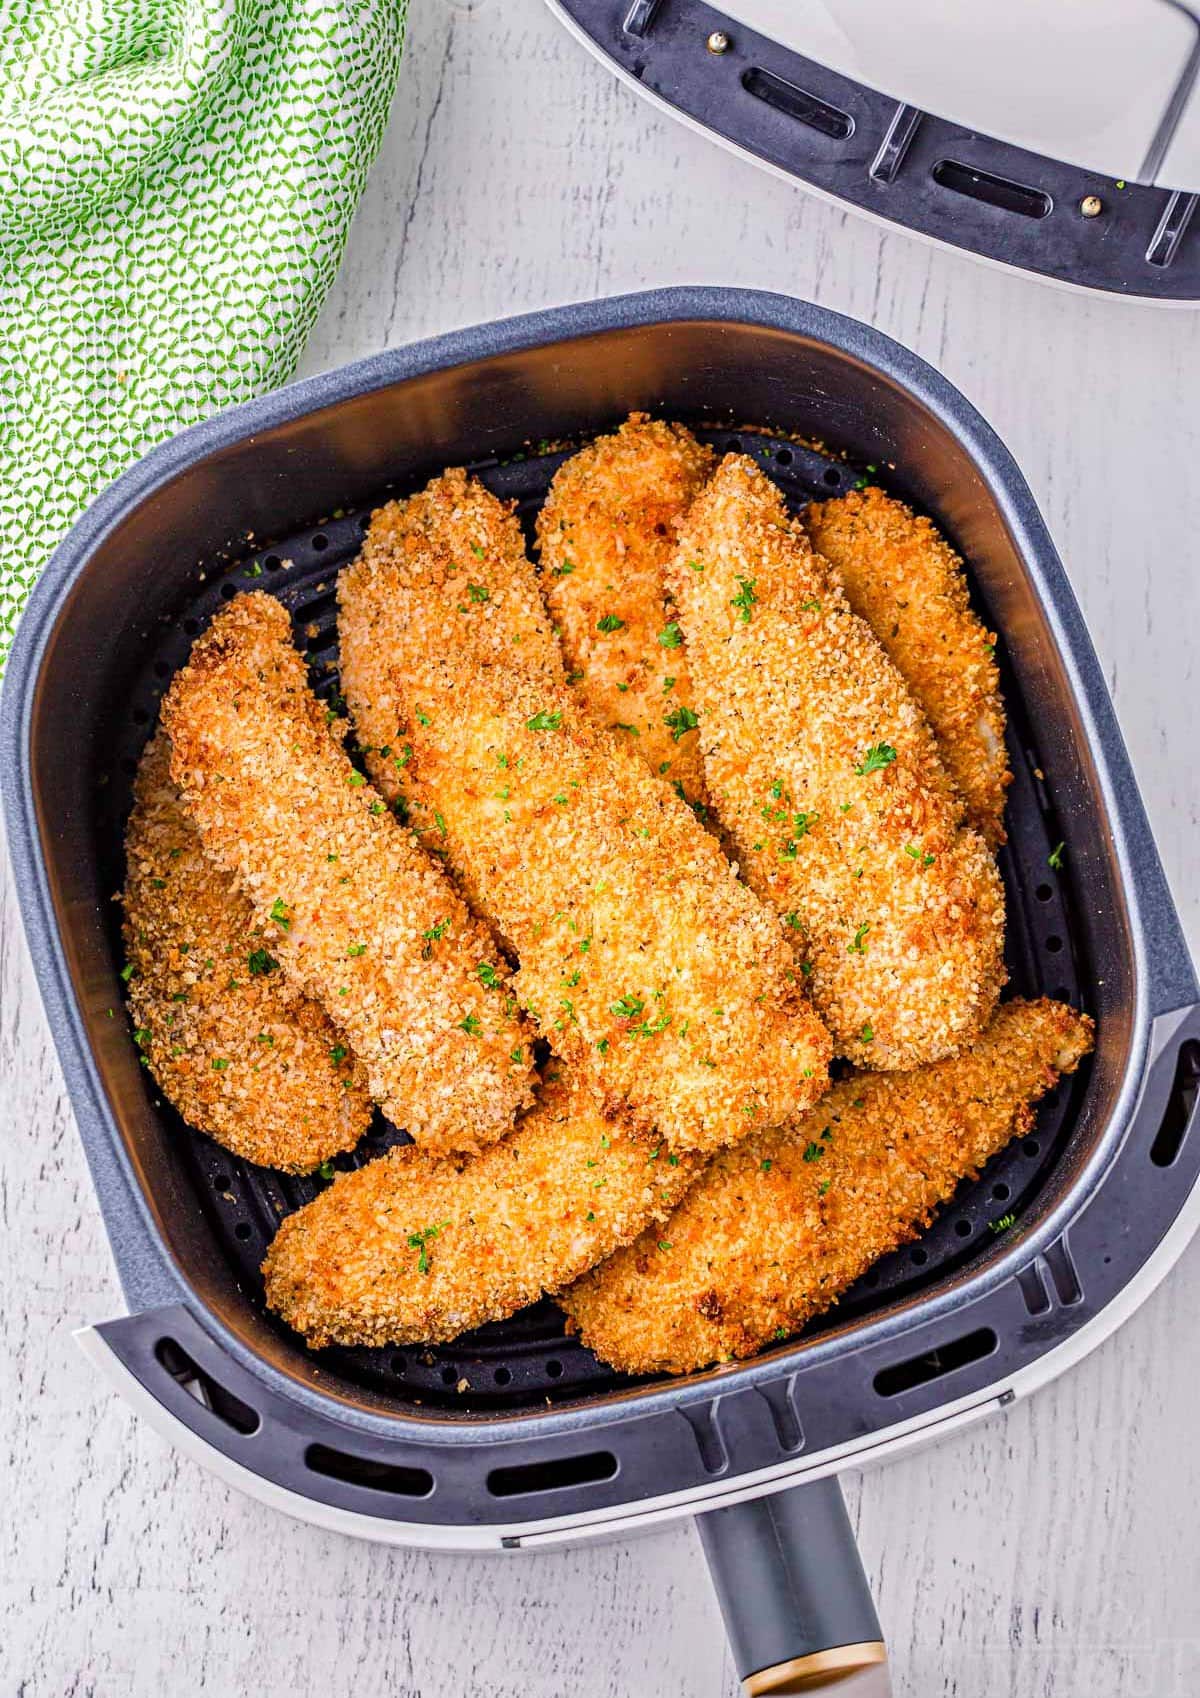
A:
(795, 1599)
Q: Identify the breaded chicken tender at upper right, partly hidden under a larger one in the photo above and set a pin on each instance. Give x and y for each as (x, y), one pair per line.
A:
(907, 583)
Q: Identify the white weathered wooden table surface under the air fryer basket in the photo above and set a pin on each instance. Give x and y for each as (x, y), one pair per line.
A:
(1053, 1553)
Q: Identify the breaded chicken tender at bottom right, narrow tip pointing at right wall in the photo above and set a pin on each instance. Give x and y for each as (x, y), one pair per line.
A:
(777, 1230)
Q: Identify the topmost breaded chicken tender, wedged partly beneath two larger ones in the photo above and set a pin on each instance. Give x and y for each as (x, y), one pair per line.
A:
(607, 536)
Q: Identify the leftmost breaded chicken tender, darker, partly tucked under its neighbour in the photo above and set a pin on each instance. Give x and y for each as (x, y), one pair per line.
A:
(242, 1054)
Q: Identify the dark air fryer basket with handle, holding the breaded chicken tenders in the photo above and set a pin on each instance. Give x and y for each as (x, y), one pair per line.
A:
(517, 1436)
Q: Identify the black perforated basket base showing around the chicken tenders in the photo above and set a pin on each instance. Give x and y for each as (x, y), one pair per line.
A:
(529, 1359)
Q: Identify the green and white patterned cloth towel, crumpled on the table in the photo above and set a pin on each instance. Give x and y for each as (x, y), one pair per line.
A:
(176, 186)
